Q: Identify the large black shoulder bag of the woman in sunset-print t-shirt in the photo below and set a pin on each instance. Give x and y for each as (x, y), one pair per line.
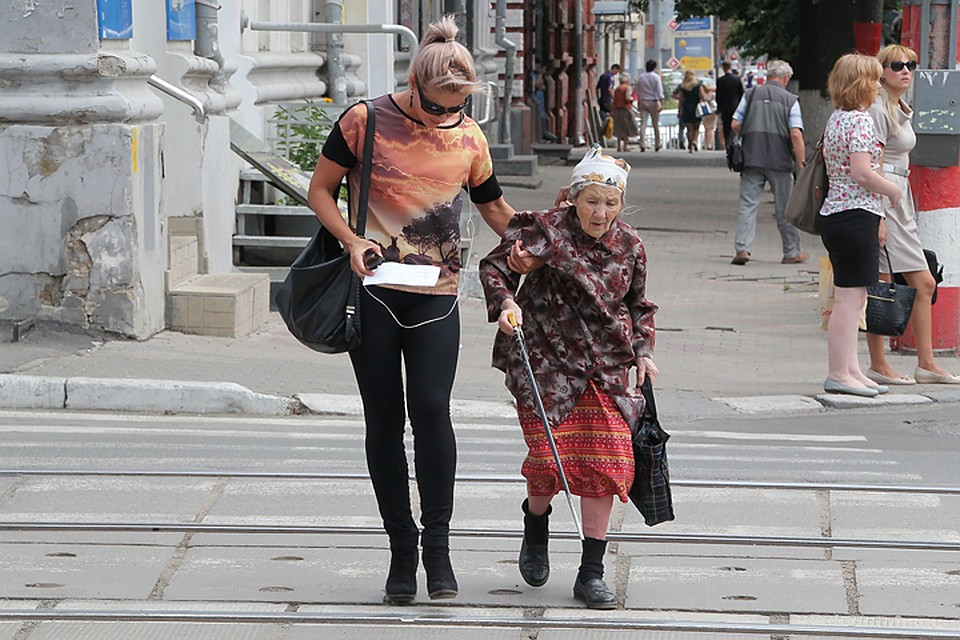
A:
(319, 299)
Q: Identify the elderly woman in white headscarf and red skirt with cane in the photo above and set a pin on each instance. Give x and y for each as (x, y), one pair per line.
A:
(587, 322)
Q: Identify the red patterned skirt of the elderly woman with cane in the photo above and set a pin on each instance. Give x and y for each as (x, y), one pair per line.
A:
(595, 448)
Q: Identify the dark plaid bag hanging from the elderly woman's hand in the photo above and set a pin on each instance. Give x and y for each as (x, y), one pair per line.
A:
(650, 492)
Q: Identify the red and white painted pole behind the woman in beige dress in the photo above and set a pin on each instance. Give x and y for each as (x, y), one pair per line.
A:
(926, 29)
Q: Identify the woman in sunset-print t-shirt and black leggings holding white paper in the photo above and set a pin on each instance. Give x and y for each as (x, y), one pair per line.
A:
(425, 152)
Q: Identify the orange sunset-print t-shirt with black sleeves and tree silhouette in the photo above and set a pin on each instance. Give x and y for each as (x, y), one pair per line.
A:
(416, 185)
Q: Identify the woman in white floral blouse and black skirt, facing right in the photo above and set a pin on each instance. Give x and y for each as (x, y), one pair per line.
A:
(852, 226)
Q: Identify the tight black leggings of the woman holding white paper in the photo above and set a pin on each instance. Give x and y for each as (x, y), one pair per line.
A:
(429, 355)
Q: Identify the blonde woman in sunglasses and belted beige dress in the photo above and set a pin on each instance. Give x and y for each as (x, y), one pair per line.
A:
(891, 117)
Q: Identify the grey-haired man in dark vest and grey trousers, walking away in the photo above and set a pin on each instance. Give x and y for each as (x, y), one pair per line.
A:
(768, 120)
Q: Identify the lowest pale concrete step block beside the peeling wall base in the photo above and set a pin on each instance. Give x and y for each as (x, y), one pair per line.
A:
(227, 305)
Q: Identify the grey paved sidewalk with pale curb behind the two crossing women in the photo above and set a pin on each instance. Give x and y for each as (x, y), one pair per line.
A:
(729, 338)
